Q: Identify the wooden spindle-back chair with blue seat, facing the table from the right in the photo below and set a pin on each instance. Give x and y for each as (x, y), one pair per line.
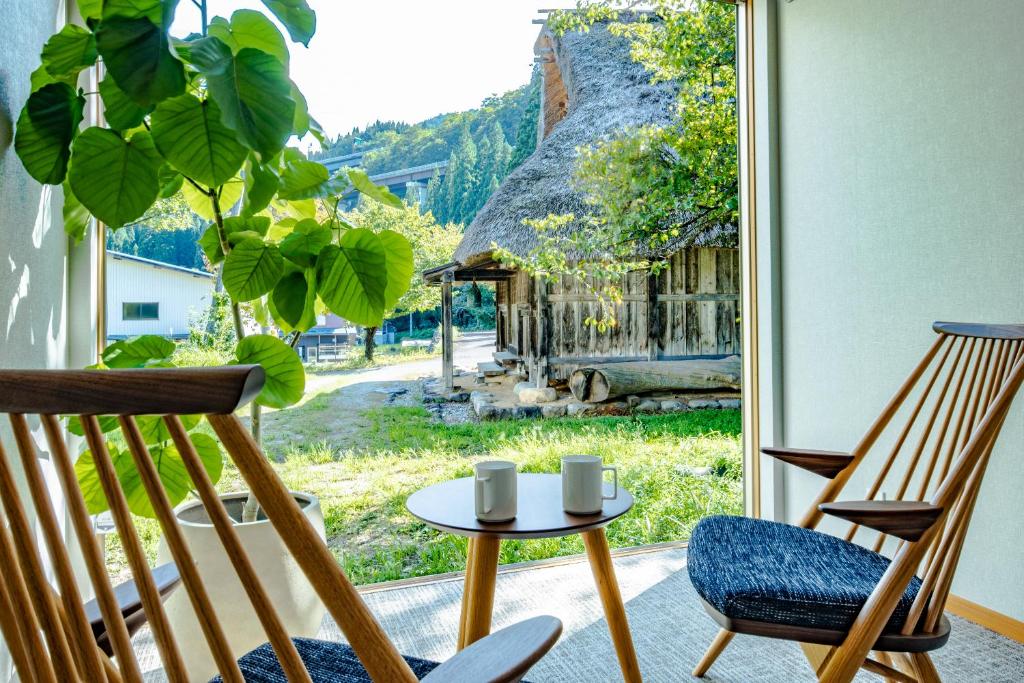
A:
(839, 600)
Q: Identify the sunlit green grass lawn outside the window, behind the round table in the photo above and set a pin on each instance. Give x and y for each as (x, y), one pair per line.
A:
(679, 467)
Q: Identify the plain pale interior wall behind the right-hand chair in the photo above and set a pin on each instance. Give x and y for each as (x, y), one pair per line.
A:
(897, 196)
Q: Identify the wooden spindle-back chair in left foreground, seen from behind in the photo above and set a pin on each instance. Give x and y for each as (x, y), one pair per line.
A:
(48, 629)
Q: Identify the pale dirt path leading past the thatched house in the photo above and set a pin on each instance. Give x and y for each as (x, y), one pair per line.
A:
(335, 403)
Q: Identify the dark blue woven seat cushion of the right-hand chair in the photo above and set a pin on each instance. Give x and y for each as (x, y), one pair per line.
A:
(767, 572)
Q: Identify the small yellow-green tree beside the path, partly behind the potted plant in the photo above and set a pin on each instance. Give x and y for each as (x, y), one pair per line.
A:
(432, 244)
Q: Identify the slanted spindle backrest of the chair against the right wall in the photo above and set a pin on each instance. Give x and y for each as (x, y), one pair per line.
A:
(943, 425)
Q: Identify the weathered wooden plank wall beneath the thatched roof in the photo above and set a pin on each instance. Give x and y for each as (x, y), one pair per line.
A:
(698, 314)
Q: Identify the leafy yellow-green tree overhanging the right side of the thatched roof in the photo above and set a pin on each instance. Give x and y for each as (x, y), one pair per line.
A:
(651, 186)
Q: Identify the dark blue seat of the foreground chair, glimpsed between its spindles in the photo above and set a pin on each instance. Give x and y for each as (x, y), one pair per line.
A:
(328, 663)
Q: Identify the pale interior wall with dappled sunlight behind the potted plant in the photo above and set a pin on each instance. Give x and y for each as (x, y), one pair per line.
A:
(48, 287)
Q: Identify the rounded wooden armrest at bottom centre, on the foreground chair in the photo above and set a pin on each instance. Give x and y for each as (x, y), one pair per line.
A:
(501, 658)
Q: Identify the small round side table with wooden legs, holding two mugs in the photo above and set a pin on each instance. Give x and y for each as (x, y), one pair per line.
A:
(450, 507)
